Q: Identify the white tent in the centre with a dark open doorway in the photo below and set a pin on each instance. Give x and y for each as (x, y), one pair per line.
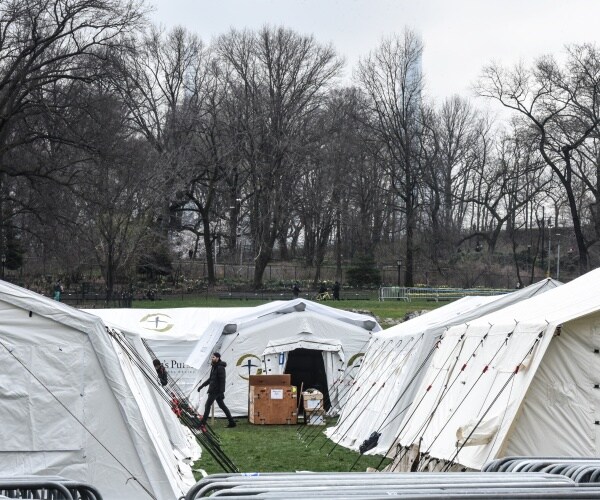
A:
(269, 339)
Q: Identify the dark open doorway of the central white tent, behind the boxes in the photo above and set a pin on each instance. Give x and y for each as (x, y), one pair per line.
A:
(307, 370)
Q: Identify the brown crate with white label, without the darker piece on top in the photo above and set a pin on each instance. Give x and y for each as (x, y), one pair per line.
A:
(272, 404)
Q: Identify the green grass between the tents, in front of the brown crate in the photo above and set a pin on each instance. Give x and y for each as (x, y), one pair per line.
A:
(283, 448)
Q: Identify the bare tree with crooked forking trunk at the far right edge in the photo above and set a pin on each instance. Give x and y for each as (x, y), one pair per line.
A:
(561, 105)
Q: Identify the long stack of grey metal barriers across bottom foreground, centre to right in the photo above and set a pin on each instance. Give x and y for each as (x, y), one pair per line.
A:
(382, 485)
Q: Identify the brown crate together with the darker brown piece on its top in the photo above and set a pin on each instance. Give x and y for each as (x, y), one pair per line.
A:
(273, 400)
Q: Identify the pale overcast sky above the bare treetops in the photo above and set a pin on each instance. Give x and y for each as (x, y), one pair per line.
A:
(460, 36)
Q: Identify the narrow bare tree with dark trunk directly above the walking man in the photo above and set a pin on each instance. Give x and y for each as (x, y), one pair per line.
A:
(207, 165)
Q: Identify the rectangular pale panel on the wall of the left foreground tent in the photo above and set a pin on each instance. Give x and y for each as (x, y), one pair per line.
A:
(33, 409)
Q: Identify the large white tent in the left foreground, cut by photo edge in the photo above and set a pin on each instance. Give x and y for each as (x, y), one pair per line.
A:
(73, 404)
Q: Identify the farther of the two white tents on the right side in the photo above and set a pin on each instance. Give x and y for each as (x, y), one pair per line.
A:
(395, 364)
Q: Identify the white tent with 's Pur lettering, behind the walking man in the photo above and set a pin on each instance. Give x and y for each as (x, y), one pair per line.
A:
(170, 333)
